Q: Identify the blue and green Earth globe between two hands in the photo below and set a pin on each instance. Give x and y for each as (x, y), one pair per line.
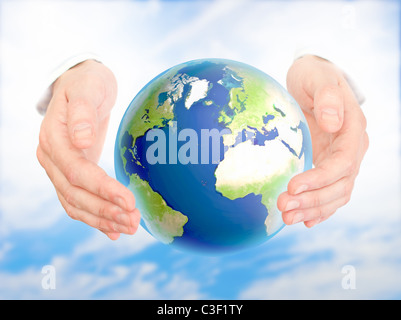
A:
(206, 147)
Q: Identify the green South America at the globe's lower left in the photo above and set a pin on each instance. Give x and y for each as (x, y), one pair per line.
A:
(161, 220)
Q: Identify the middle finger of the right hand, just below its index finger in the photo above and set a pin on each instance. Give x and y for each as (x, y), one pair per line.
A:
(316, 198)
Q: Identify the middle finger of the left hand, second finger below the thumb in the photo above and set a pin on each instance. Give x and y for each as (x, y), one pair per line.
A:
(81, 199)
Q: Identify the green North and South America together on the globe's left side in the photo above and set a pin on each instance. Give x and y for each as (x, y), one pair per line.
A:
(155, 108)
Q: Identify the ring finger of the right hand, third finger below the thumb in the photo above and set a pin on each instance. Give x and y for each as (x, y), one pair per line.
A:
(314, 213)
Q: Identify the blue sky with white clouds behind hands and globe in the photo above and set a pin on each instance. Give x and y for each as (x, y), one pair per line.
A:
(138, 40)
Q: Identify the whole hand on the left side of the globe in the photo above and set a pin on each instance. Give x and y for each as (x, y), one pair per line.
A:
(71, 139)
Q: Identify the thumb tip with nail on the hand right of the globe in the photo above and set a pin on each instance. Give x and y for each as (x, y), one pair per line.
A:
(329, 107)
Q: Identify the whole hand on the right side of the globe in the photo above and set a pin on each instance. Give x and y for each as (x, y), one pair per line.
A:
(339, 141)
